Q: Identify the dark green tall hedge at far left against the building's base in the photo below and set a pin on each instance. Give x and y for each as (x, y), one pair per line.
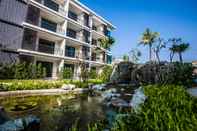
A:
(22, 71)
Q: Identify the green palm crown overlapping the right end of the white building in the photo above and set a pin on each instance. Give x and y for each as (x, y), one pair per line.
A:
(107, 42)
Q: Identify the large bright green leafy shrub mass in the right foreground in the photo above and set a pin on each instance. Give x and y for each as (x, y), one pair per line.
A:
(168, 108)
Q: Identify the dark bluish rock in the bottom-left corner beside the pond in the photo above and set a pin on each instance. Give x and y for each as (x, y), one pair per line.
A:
(27, 123)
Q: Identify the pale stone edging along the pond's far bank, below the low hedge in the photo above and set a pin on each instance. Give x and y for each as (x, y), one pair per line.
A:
(41, 92)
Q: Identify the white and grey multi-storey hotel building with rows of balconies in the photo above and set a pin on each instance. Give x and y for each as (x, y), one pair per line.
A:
(53, 33)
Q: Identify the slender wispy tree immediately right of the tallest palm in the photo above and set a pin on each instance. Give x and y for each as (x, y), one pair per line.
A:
(158, 47)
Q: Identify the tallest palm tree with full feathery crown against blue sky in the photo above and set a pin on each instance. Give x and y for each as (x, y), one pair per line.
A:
(148, 38)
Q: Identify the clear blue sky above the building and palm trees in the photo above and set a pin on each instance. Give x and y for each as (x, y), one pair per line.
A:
(171, 18)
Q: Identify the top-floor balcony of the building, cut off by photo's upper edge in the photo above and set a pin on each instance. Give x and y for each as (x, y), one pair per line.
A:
(53, 6)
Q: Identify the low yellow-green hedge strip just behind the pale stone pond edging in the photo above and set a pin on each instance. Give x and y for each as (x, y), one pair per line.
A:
(13, 85)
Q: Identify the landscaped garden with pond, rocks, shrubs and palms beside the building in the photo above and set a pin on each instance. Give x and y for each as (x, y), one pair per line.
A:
(126, 97)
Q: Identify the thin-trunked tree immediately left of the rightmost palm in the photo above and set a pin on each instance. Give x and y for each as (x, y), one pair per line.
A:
(173, 48)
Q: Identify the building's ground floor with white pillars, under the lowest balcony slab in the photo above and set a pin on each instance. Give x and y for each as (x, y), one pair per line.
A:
(54, 66)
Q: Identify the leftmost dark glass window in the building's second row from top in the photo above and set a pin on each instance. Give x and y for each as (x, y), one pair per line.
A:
(48, 25)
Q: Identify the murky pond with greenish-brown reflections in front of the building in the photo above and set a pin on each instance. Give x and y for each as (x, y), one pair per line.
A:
(57, 113)
